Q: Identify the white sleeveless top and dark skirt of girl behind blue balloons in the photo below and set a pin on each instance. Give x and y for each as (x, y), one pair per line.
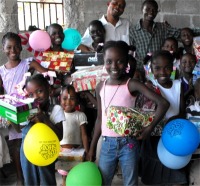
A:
(152, 170)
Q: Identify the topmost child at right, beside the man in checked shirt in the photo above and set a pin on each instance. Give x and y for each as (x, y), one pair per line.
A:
(186, 38)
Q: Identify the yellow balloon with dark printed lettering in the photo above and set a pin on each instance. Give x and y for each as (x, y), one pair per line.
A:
(41, 145)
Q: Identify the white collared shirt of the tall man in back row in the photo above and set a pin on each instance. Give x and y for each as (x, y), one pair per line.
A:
(118, 32)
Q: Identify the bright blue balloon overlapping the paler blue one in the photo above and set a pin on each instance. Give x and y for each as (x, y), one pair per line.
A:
(180, 137)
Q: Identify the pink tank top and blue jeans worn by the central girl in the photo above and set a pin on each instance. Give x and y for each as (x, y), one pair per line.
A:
(116, 148)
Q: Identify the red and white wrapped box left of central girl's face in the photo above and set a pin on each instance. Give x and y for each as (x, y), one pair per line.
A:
(88, 78)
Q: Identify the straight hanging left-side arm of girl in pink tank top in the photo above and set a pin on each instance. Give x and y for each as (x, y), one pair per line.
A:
(97, 128)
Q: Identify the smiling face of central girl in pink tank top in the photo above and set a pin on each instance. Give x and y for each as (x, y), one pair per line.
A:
(115, 62)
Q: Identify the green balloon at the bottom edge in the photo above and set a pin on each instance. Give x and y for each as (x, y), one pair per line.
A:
(84, 174)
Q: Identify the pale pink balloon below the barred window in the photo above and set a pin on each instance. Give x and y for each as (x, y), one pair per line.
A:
(39, 40)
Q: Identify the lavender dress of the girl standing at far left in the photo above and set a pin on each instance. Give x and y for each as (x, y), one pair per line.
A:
(11, 77)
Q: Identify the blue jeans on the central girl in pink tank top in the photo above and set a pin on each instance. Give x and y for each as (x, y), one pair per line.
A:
(124, 150)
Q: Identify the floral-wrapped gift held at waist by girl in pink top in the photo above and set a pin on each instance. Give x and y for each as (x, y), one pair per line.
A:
(127, 121)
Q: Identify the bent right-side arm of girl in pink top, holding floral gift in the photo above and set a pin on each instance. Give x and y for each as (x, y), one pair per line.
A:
(161, 109)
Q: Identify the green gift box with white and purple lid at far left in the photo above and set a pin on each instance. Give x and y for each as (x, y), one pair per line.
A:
(16, 110)
